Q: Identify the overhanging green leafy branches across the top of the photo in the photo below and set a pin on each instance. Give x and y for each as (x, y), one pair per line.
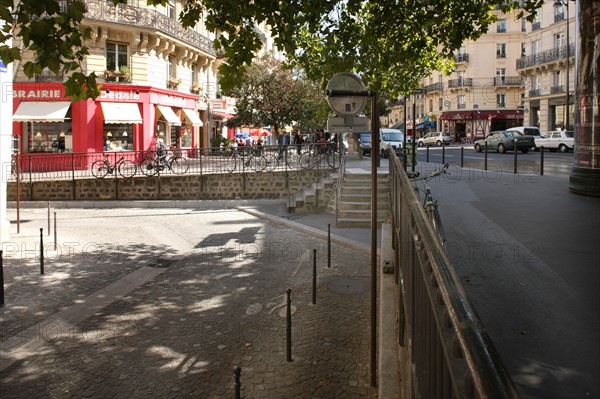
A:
(390, 45)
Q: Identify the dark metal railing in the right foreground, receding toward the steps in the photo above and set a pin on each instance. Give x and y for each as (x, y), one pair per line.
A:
(451, 355)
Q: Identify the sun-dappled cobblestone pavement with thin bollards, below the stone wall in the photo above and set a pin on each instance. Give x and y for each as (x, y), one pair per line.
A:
(157, 303)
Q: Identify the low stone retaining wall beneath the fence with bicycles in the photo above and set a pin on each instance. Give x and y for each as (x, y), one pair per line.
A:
(264, 185)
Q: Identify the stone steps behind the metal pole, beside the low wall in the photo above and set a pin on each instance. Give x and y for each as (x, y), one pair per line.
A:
(354, 206)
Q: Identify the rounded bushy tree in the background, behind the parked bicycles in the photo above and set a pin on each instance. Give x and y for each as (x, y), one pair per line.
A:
(270, 94)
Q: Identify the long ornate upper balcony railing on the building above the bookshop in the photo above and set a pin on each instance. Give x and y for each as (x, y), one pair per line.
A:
(106, 11)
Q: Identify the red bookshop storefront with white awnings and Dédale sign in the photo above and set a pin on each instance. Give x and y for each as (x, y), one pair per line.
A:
(123, 118)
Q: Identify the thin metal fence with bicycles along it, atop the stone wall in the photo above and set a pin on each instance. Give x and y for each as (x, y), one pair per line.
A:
(30, 167)
